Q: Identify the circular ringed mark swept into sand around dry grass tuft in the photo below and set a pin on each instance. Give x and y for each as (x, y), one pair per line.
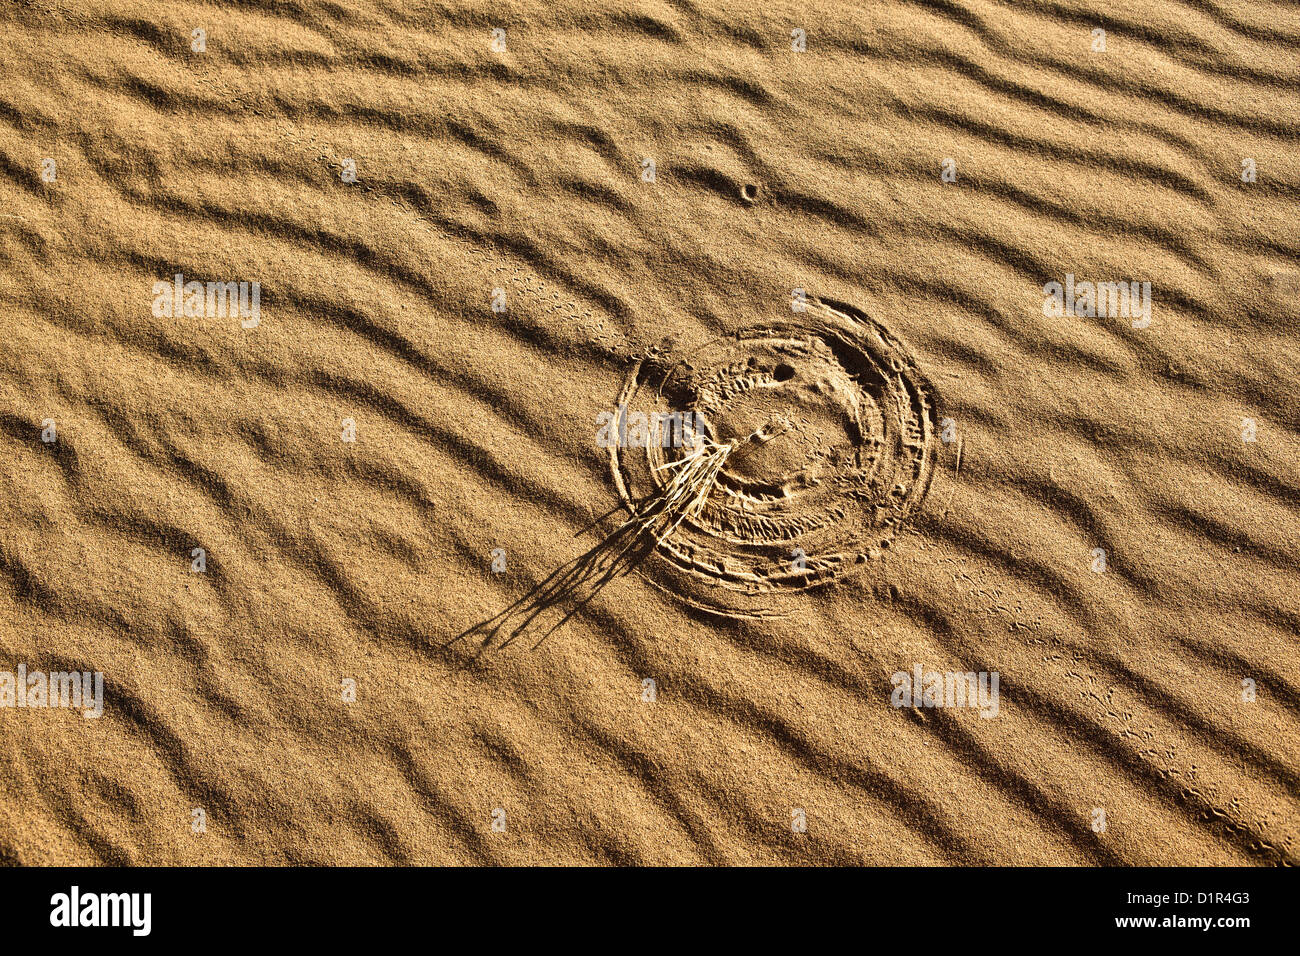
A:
(833, 431)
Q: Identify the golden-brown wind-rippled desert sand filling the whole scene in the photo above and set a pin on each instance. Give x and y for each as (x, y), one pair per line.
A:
(831, 222)
